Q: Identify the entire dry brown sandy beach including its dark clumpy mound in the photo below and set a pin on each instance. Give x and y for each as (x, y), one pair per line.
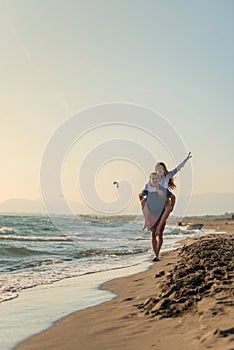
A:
(184, 301)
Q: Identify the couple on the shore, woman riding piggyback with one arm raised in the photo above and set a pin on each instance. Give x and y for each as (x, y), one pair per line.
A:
(157, 202)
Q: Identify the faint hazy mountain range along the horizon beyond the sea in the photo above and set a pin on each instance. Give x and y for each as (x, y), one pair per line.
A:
(204, 204)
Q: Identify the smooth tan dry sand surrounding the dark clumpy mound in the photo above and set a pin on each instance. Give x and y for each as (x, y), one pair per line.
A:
(119, 323)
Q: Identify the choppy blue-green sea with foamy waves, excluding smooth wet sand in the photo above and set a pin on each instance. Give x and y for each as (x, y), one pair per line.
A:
(47, 255)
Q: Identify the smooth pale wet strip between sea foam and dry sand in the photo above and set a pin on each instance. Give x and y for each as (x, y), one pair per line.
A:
(38, 309)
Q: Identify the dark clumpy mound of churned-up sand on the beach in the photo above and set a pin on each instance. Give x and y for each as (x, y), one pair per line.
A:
(204, 268)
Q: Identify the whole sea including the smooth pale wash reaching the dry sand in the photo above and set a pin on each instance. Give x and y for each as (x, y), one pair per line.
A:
(38, 254)
